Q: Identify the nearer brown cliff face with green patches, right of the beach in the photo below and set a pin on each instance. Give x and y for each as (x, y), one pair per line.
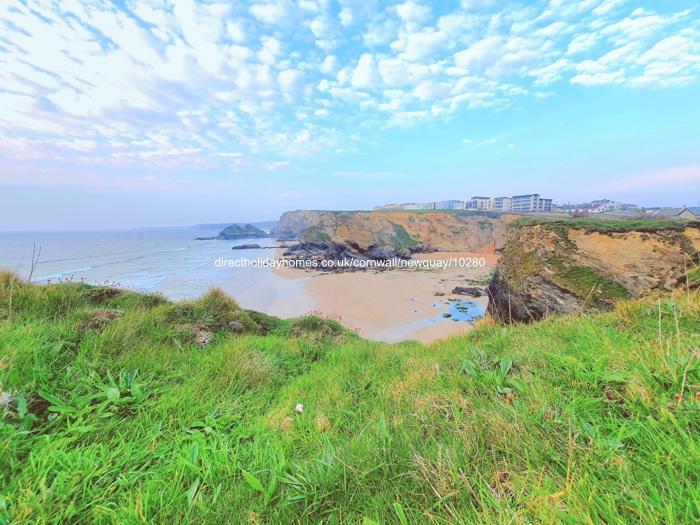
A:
(561, 268)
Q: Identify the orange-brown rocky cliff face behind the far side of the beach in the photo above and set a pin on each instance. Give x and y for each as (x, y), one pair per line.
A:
(385, 235)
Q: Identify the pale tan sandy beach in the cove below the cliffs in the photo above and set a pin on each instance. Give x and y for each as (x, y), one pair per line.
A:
(392, 305)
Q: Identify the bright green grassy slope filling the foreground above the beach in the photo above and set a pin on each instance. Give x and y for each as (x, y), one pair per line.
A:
(129, 421)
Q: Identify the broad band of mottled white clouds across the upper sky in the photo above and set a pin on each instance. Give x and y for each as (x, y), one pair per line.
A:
(96, 82)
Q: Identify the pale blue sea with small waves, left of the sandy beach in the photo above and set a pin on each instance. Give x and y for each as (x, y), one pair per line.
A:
(169, 261)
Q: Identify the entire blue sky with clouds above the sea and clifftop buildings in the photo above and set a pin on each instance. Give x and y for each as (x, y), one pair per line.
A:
(174, 112)
